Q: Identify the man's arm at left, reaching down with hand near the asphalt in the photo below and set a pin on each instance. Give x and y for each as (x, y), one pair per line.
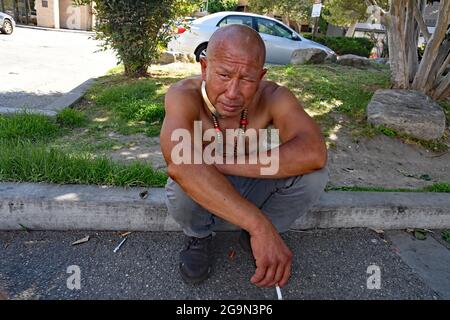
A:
(212, 190)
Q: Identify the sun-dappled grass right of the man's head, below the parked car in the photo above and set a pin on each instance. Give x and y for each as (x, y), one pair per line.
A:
(328, 88)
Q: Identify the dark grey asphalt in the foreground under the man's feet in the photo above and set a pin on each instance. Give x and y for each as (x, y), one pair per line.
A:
(328, 264)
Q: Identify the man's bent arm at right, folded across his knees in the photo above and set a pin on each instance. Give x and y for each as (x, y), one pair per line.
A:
(302, 150)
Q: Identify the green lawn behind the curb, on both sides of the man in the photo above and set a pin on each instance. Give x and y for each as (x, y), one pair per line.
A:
(76, 146)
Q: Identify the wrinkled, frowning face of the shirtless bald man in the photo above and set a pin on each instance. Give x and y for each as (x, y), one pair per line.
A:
(232, 78)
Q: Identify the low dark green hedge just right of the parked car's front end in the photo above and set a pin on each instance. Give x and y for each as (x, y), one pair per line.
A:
(344, 45)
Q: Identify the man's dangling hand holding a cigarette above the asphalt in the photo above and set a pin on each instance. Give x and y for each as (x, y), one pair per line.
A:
(273, 258)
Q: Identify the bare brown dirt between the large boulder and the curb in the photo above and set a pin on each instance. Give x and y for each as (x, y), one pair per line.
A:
(383, 162)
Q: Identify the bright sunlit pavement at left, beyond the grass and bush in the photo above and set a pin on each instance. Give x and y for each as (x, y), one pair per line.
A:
(38, 67)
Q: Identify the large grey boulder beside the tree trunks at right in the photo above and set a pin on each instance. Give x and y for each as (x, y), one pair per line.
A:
(407, 111)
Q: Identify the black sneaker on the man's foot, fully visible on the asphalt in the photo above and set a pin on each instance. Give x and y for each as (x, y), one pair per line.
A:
(195, 265)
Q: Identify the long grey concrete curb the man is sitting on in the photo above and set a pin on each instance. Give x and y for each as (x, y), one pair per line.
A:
(81, 207)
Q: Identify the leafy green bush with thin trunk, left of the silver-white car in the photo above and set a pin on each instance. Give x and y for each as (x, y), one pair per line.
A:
(136, 29)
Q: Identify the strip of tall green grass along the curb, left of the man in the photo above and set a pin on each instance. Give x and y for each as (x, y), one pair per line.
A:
(24, 161)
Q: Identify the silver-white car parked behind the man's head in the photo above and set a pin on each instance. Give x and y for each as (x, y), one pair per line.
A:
(281, 41)
